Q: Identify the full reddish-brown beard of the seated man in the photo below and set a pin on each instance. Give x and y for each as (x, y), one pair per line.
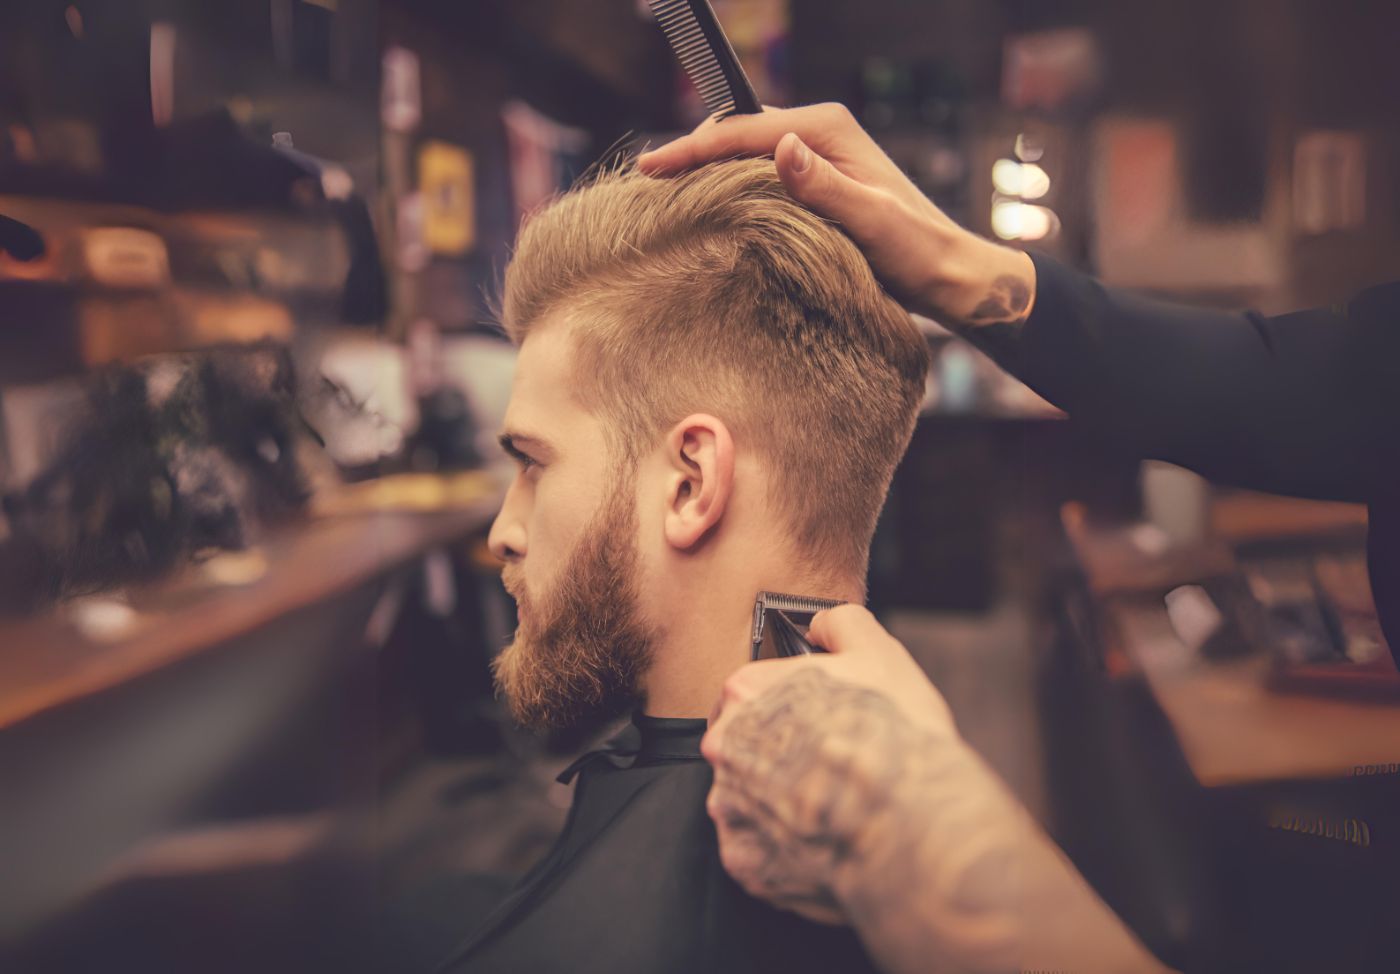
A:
(582, 650)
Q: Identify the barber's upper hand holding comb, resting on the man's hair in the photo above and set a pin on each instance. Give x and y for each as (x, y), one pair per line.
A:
(832, 166)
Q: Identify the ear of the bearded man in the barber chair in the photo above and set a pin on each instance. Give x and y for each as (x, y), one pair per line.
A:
(701, 477)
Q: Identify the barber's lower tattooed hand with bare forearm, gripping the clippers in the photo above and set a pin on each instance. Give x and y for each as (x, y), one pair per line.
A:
(843, 793)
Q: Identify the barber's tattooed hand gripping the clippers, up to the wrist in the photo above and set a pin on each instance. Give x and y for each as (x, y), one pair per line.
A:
(808, 751)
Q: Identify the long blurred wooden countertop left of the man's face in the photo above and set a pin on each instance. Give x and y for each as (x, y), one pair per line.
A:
(94, 646)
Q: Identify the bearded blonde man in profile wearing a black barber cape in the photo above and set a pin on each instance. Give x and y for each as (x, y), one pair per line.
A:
(710, 400)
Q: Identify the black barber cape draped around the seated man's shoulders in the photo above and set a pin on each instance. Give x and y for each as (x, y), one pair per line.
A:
(635, 882)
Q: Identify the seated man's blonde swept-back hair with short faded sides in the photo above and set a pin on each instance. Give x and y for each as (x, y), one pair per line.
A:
(715, 292)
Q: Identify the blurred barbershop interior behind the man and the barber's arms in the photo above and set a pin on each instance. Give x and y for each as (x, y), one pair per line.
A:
(250, 387)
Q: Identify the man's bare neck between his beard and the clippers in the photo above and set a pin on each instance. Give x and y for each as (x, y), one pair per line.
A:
(706, 640)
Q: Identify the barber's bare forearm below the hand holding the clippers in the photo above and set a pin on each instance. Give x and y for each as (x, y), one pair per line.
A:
(954, 875)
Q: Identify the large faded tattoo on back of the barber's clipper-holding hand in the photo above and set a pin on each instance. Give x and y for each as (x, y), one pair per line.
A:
(831, 798)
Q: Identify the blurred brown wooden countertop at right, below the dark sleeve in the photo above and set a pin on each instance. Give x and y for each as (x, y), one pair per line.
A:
(1233, 727)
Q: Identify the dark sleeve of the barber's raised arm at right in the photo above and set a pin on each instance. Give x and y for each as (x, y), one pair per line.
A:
(1305, 404)
